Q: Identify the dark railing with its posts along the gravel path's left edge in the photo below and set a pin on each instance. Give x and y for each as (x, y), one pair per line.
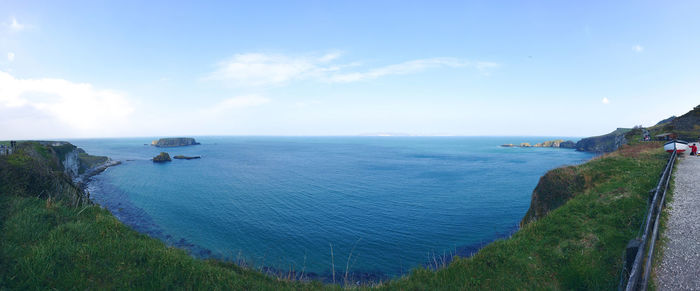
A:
(641, 266)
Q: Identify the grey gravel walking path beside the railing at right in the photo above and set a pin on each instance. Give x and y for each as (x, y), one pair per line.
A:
(680, 265)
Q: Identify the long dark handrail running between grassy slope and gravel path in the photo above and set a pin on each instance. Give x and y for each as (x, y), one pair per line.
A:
(654, 215)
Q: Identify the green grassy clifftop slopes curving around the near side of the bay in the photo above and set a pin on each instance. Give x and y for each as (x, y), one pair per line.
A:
(59, 241)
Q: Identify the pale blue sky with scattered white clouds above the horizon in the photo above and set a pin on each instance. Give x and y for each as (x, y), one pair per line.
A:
(80, 69)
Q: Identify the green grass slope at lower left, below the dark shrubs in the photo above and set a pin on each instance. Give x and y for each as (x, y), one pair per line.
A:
(50, 245)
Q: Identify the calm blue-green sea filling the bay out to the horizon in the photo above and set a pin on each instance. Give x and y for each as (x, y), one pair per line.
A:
(376, 206)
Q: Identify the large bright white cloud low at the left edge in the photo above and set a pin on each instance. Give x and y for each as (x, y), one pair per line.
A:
(78, 106)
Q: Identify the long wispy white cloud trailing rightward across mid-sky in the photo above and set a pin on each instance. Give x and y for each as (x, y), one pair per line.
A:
(258, 69)
